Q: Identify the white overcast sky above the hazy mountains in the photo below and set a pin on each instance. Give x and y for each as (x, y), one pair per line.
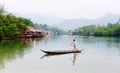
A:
(64, 8)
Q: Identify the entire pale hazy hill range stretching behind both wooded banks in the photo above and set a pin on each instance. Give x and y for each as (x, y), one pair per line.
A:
(70, 23)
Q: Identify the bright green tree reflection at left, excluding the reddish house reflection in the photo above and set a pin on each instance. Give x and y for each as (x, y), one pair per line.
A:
(11, 50)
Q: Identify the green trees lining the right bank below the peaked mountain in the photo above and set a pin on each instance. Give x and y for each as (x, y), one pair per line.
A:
(109, 30)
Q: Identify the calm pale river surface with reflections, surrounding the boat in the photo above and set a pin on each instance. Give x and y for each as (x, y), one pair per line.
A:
(99, 55)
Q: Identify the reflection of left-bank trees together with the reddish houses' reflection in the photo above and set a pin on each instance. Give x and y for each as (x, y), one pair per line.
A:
(10, 50)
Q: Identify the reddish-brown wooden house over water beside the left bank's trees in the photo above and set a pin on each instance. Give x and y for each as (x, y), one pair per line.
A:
(33, 33)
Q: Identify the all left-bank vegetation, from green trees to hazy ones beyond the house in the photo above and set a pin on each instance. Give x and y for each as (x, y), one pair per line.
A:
(11, 26)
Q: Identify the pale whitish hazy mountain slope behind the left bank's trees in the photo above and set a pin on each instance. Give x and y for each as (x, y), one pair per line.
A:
(42, 19)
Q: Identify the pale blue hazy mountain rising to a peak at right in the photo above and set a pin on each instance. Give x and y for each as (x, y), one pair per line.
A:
(75, 23)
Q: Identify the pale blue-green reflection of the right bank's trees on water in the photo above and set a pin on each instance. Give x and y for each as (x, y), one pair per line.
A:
(107, 41)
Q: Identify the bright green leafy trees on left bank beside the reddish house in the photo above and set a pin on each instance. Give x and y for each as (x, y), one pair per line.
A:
(12, 26)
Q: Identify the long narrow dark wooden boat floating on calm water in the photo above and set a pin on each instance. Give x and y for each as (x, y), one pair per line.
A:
(61, 51)
